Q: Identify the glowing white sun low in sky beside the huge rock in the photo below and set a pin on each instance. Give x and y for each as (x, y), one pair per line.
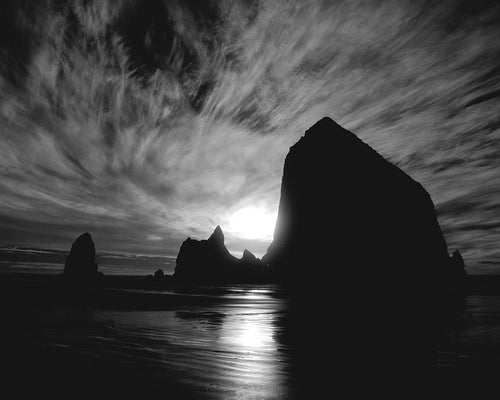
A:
(252, 223)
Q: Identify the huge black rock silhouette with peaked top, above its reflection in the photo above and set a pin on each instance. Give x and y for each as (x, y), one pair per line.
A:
(346, 210)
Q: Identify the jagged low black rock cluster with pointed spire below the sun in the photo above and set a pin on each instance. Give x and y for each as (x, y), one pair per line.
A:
(210, 261)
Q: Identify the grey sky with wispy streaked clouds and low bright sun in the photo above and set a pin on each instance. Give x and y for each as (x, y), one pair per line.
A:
(146, 122)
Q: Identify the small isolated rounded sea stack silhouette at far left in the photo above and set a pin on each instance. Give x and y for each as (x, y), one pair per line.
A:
(80, 263)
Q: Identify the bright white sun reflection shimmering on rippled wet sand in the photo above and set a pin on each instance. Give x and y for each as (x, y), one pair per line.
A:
(242, 359)
